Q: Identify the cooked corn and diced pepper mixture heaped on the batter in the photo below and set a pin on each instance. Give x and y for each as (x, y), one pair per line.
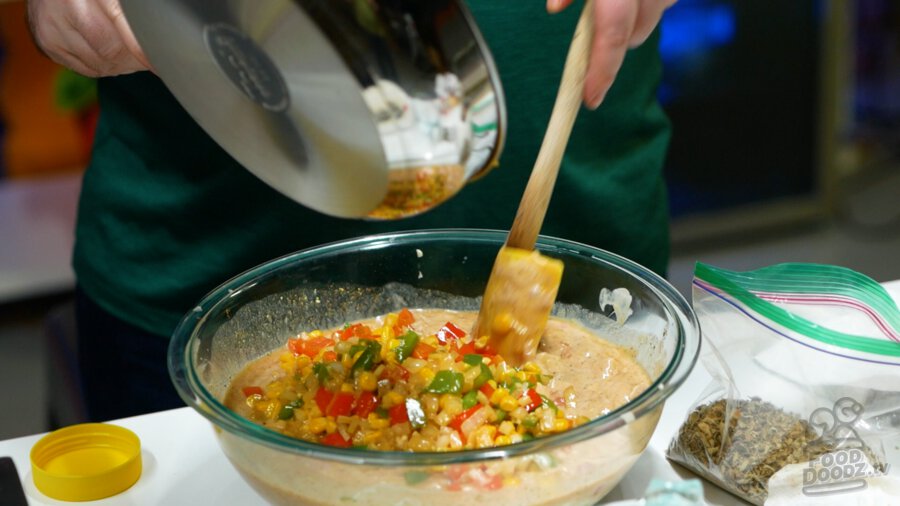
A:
(387, 386)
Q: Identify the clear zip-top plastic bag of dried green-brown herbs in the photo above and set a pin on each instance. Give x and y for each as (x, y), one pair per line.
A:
(805, 361)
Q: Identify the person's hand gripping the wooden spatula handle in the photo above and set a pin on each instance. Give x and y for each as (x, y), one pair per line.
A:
(619, 25)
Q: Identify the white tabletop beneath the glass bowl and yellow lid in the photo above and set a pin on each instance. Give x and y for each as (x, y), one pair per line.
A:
(183, 464)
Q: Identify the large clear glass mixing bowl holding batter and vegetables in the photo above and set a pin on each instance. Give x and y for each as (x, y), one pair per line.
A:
(324, 287)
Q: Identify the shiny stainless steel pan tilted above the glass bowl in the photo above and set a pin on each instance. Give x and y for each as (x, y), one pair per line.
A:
(355, 108)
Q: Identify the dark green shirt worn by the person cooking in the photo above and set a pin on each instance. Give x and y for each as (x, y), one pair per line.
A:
(166, 215)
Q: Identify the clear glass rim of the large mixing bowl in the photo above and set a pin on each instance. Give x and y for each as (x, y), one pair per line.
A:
(192, 391)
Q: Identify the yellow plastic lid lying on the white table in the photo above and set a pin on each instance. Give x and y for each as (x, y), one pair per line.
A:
(86, 462)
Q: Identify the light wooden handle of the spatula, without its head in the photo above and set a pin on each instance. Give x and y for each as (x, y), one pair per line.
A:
(533, 206)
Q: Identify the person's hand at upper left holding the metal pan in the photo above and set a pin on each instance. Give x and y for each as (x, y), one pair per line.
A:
(90, 37)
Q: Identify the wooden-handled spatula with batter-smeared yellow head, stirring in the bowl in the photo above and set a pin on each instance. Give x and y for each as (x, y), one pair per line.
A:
(523, 284)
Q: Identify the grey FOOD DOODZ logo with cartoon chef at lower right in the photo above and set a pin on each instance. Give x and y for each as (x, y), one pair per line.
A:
(848, 461)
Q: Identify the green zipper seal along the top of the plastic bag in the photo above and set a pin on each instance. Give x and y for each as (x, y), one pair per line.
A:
(804, 278)
